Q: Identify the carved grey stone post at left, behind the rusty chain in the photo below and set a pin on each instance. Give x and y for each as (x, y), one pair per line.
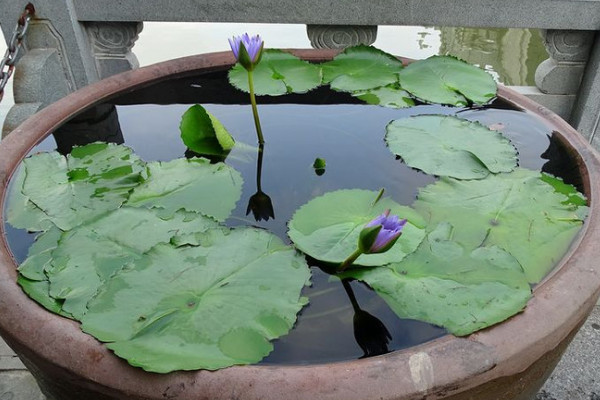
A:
(62, 54)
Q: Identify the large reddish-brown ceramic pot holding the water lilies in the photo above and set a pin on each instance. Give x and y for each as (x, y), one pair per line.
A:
(508, 361)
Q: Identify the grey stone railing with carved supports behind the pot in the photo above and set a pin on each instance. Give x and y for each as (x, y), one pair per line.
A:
(72, 43)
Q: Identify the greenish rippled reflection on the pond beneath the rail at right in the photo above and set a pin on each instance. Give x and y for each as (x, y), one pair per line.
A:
(511, 55)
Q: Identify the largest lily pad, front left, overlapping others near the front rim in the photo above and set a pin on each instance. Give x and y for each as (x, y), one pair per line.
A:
(201, 307)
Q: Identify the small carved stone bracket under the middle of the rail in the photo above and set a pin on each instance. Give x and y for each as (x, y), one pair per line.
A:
(340, 36)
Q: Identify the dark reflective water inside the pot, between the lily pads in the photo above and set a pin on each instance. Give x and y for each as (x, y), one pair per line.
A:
(298, 129)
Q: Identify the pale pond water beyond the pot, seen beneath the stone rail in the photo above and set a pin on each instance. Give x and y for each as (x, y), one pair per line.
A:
(510, 55)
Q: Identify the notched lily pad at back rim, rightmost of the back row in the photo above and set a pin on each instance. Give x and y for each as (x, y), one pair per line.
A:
(448, 80)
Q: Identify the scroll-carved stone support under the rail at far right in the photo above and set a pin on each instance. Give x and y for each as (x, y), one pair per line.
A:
(569, 52)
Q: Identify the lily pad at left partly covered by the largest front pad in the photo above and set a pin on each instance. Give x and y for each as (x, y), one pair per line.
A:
(90, 254)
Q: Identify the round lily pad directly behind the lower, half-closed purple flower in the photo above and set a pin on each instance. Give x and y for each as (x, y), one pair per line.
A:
(327, 227)
